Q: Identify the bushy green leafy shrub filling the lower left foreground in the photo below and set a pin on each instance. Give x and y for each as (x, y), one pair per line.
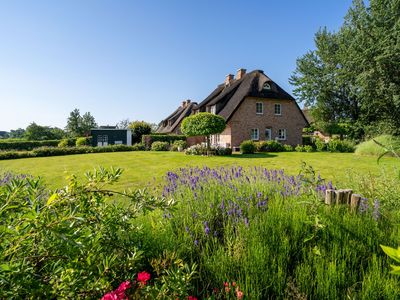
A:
(70, 235)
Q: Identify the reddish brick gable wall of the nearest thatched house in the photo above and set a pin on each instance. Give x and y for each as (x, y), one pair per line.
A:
(245, 119)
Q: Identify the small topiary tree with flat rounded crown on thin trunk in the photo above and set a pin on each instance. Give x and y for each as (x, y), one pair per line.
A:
(203, 124)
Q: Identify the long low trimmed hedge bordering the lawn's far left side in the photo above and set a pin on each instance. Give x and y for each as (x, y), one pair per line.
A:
(57, 151)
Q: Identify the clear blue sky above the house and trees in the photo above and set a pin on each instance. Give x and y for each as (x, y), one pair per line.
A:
(140, 59)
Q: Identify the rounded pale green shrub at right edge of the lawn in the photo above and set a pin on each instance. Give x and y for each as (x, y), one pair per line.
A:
(371, 148)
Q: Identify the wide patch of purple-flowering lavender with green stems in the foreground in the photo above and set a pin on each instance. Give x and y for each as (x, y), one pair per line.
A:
(272, 234)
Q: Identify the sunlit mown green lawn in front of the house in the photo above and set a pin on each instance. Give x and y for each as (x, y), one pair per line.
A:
(141, 167)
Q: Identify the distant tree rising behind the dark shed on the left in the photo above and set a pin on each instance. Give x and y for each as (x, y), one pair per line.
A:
(78, 125)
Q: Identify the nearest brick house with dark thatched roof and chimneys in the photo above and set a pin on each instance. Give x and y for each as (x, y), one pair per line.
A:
(255, 108)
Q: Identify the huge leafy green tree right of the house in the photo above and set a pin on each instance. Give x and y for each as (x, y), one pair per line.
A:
(353, 76)
